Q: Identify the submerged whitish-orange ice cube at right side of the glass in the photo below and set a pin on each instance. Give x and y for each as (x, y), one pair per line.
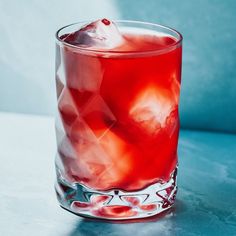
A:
(151, 108)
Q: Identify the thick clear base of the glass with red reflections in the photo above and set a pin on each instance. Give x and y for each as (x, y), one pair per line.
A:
(117, 204)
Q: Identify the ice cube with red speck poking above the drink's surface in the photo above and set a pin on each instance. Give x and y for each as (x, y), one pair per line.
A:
(100, 34)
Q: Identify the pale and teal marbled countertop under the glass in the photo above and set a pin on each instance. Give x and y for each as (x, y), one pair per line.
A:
(206, 201)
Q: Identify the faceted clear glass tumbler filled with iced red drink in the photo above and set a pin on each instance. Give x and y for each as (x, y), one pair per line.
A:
(118, 125)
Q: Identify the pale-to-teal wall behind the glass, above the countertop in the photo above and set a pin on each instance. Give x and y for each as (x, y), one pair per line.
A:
(208, 94)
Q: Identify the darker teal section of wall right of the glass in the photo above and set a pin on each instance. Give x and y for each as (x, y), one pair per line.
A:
(208, 98)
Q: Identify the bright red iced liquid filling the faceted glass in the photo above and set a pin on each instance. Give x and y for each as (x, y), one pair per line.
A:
(120, 114)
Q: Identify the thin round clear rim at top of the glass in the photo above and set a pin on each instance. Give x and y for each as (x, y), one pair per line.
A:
(84, 50)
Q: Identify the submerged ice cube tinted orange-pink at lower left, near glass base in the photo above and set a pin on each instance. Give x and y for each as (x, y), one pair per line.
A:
(102, 164)
